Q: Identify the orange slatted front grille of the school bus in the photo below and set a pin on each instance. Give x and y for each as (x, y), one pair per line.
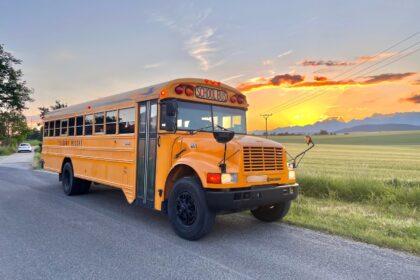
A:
(263, 159)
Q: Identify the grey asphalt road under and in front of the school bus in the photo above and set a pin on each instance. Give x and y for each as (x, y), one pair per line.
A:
(47, 235)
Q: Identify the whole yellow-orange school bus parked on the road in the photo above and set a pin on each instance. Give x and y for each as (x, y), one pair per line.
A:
(178, 147)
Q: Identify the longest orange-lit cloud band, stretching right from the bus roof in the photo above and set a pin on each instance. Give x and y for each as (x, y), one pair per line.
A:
(298, 81)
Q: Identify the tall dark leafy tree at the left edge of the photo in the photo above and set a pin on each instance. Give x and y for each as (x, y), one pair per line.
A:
(14, 94)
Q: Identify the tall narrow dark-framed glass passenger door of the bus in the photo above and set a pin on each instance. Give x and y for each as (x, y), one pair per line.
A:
(146, 160)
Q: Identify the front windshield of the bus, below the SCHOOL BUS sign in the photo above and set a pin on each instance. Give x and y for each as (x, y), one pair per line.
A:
(194, 116)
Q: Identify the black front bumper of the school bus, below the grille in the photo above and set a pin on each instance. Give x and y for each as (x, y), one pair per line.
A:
(249, 198)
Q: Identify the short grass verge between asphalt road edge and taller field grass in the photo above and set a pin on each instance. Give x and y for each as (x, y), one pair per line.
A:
(390, 225)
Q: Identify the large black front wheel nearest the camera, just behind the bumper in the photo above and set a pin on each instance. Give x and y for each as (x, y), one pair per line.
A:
(188, 212)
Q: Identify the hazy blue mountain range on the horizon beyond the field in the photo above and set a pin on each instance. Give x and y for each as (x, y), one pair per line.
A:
(335, 125)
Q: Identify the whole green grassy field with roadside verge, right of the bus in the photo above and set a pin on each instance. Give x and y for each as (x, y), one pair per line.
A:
(364, 186)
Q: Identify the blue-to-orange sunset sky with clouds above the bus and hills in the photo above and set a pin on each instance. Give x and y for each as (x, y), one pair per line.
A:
(302, 61)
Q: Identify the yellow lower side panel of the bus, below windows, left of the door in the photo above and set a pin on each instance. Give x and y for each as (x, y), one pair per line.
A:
(105, 159)
